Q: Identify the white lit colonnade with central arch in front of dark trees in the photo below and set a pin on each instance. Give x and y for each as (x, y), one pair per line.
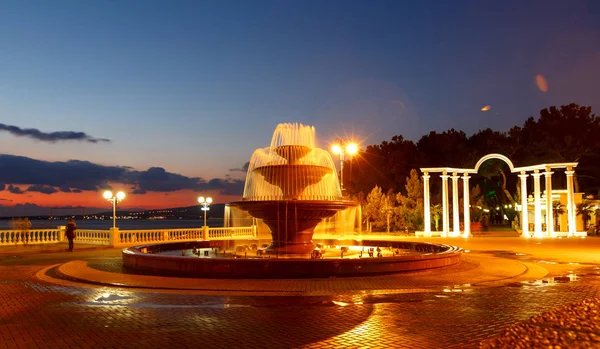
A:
(535, 171)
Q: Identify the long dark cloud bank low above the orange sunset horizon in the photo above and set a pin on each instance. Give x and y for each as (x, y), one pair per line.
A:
(76, 176)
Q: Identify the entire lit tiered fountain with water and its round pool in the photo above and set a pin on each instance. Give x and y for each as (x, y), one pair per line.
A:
(291, 186)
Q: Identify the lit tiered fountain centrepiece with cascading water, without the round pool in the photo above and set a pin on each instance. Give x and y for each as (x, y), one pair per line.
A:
(292, 186)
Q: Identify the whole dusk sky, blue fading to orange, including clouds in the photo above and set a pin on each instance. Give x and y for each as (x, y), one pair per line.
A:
(167, 100)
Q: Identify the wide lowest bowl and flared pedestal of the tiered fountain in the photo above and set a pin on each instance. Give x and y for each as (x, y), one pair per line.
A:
(292, 222)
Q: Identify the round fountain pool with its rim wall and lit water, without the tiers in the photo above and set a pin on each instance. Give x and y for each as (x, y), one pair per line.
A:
(212, 259)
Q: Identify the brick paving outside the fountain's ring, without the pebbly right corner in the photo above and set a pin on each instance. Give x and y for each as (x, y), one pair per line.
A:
(37, 313)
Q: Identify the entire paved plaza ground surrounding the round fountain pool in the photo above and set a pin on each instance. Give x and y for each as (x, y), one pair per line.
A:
(505, 286)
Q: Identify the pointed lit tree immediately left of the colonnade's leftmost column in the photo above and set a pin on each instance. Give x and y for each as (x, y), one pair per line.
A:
(410, 207)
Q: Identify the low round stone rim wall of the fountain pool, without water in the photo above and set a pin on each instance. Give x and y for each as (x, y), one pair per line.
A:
(429, 256)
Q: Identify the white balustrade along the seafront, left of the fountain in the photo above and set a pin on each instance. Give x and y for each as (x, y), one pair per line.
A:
(124, 237)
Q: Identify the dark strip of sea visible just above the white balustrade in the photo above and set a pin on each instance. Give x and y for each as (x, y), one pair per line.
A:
(126, 224)
